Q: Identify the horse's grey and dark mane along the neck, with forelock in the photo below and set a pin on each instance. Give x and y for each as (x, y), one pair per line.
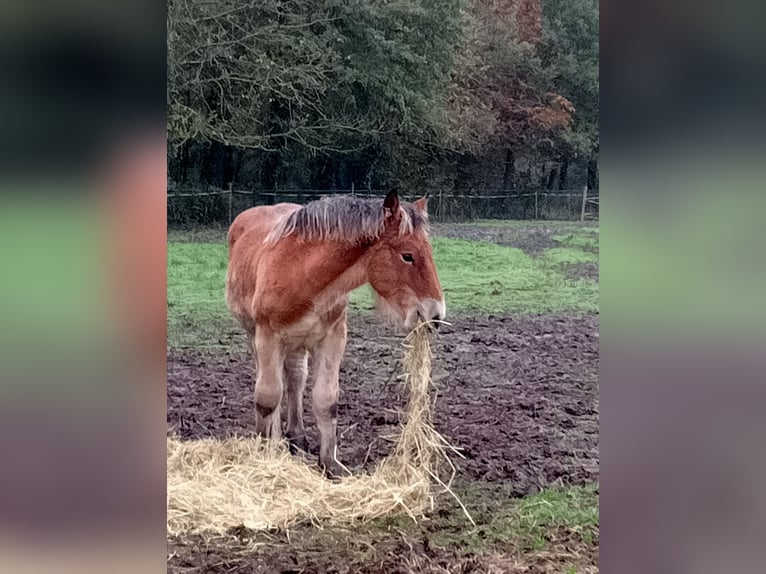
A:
(345, 218)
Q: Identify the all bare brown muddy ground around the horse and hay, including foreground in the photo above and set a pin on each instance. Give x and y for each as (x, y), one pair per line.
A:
(518, 395)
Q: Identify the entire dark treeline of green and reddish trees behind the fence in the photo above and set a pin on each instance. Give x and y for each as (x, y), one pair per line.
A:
(421, 94)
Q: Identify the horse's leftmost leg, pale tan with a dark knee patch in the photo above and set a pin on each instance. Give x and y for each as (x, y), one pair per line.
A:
(270, 357)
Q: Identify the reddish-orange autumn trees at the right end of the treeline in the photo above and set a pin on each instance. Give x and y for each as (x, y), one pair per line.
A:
(512, 98)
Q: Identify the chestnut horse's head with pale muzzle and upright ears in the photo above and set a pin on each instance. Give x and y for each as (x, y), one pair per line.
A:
(401, 267)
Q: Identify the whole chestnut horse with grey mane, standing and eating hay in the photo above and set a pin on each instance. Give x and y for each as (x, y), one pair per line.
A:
(291, 269)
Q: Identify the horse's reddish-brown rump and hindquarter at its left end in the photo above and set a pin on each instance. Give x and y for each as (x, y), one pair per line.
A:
(246, 241)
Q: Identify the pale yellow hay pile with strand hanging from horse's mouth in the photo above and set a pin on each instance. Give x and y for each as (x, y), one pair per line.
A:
(214, 486)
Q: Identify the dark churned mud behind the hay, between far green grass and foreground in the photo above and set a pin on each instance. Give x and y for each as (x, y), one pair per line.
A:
(518, 396)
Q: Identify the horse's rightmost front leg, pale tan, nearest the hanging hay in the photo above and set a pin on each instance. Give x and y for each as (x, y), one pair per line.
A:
(327, 359)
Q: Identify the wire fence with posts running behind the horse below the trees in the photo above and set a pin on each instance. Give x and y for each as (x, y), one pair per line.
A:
(191, 207)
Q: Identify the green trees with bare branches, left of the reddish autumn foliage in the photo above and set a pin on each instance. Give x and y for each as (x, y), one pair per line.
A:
(326, 75)
